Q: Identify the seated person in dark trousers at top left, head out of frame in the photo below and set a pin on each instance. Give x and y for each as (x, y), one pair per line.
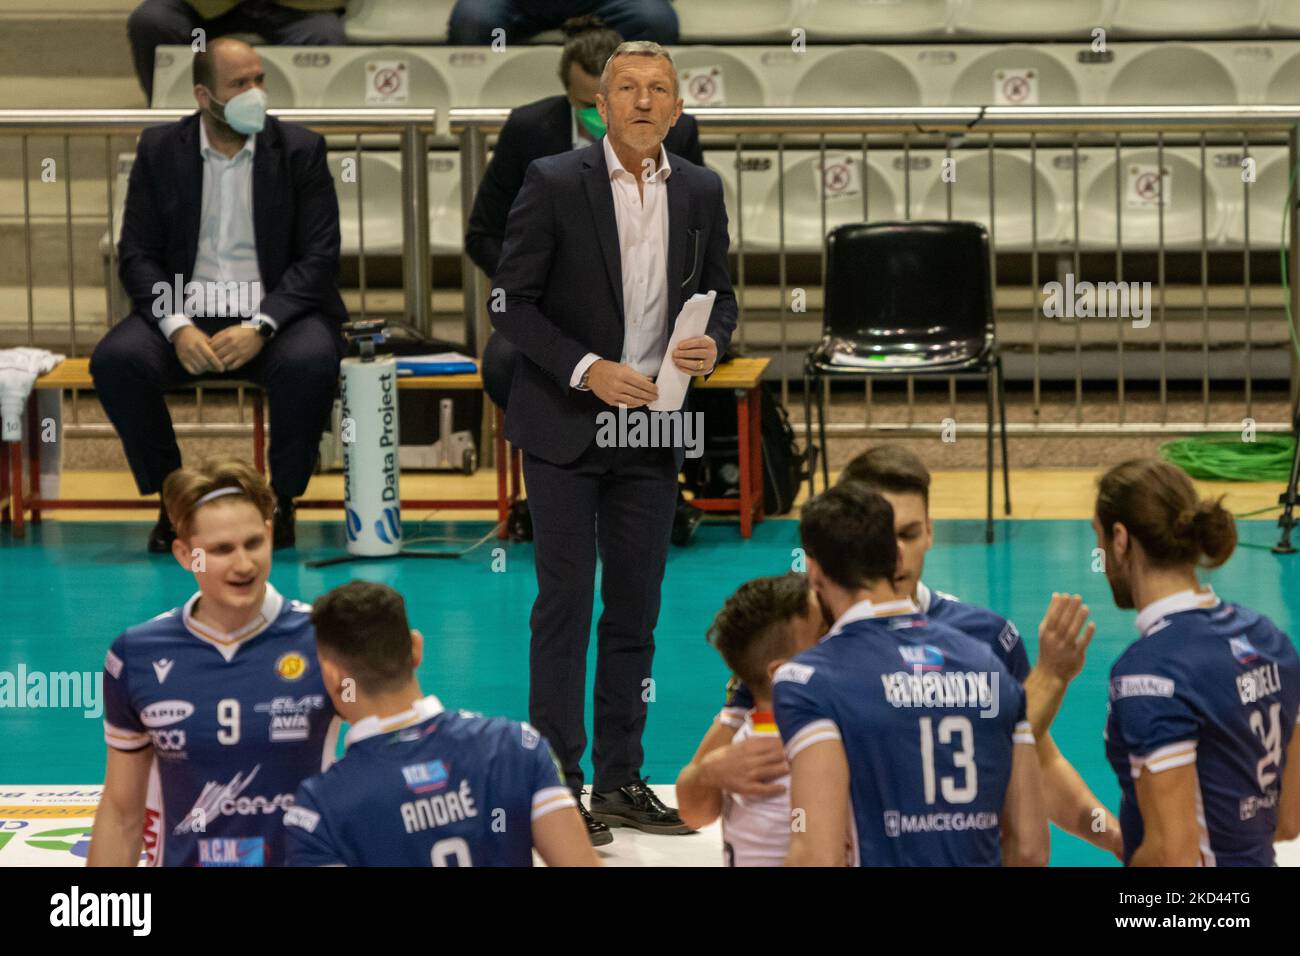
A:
(284, 23)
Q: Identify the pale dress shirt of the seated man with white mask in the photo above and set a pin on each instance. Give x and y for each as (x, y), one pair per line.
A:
(228, 250)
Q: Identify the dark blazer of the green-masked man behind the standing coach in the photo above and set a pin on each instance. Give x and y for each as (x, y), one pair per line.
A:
(535, 131)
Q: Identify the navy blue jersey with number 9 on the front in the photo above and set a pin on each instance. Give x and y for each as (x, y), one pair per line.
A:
(236, 723)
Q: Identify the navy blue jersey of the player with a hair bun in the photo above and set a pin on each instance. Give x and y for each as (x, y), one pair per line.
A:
(1216, 685)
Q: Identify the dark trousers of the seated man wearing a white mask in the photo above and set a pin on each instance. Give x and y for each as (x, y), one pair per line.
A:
(133, 365)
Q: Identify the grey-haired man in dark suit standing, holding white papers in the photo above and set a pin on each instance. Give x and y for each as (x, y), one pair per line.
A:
(603, 248)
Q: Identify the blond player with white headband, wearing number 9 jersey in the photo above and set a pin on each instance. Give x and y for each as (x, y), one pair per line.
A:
(214, 712)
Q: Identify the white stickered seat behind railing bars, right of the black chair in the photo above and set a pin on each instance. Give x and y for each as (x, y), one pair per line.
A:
(1141, 207)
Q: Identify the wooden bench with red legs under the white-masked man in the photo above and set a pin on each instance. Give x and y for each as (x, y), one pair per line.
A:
(75, 374)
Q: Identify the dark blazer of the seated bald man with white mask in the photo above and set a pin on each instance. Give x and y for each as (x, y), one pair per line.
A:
(296, 219)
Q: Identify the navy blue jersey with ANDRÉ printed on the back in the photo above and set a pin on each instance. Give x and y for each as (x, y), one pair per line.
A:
(428, 789)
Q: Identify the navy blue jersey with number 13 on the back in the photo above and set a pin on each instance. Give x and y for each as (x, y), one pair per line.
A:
(929, 719)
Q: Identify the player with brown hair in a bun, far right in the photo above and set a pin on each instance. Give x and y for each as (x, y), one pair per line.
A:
(1203, 707)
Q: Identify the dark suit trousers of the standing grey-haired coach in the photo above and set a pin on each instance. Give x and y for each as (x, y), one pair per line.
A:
(618, 503)
